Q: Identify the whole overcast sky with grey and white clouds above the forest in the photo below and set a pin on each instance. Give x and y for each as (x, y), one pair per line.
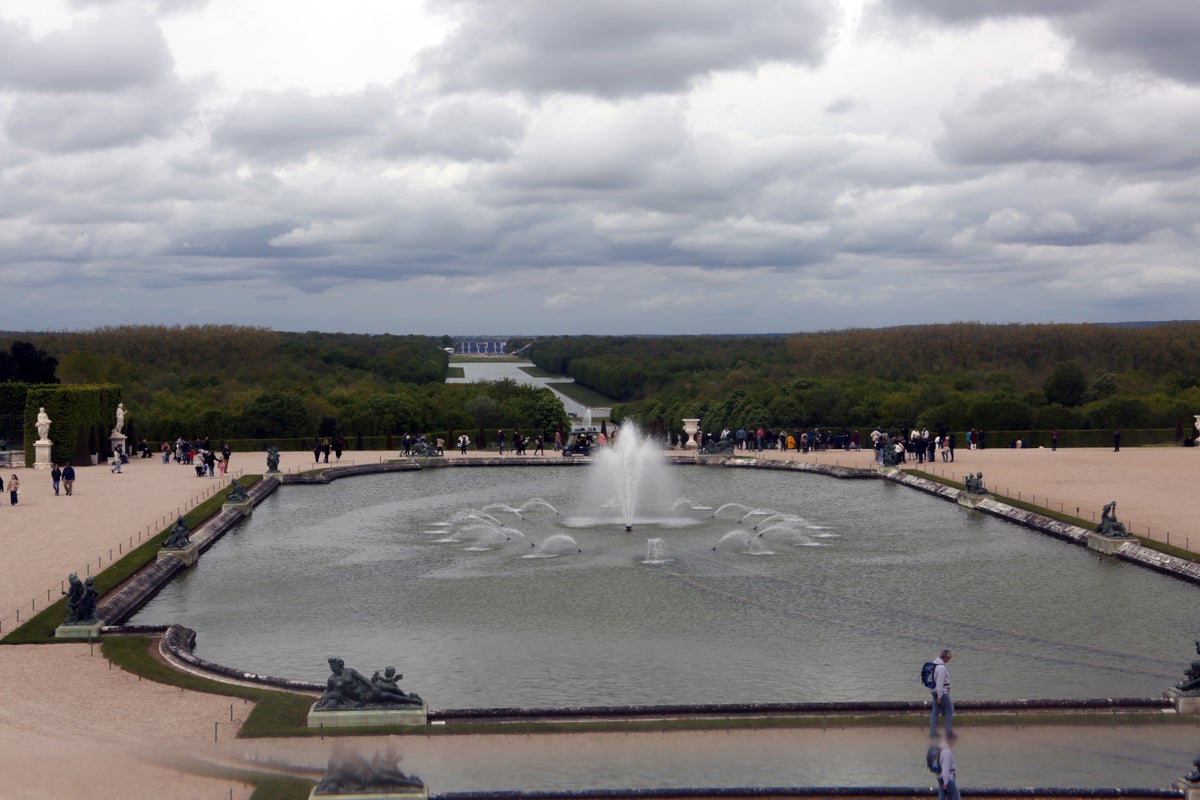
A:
(585, 167)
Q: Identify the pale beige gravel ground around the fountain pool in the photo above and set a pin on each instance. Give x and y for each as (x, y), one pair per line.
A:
(70, 726)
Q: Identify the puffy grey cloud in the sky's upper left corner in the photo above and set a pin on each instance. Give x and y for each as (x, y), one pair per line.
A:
(111, 53)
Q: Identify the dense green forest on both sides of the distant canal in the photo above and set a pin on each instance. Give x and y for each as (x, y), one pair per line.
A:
(253, 383)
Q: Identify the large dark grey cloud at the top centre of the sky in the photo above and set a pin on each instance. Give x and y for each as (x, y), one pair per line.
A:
(621, 47)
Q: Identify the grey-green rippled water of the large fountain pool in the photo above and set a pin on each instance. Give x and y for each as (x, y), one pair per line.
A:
(842, 593)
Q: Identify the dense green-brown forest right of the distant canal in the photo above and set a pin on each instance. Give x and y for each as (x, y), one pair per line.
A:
(943, 377)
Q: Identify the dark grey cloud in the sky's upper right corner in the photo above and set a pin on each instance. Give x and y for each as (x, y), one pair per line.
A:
(1161, 37)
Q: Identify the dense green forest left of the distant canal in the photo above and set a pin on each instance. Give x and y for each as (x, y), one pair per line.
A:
(251, 383)
